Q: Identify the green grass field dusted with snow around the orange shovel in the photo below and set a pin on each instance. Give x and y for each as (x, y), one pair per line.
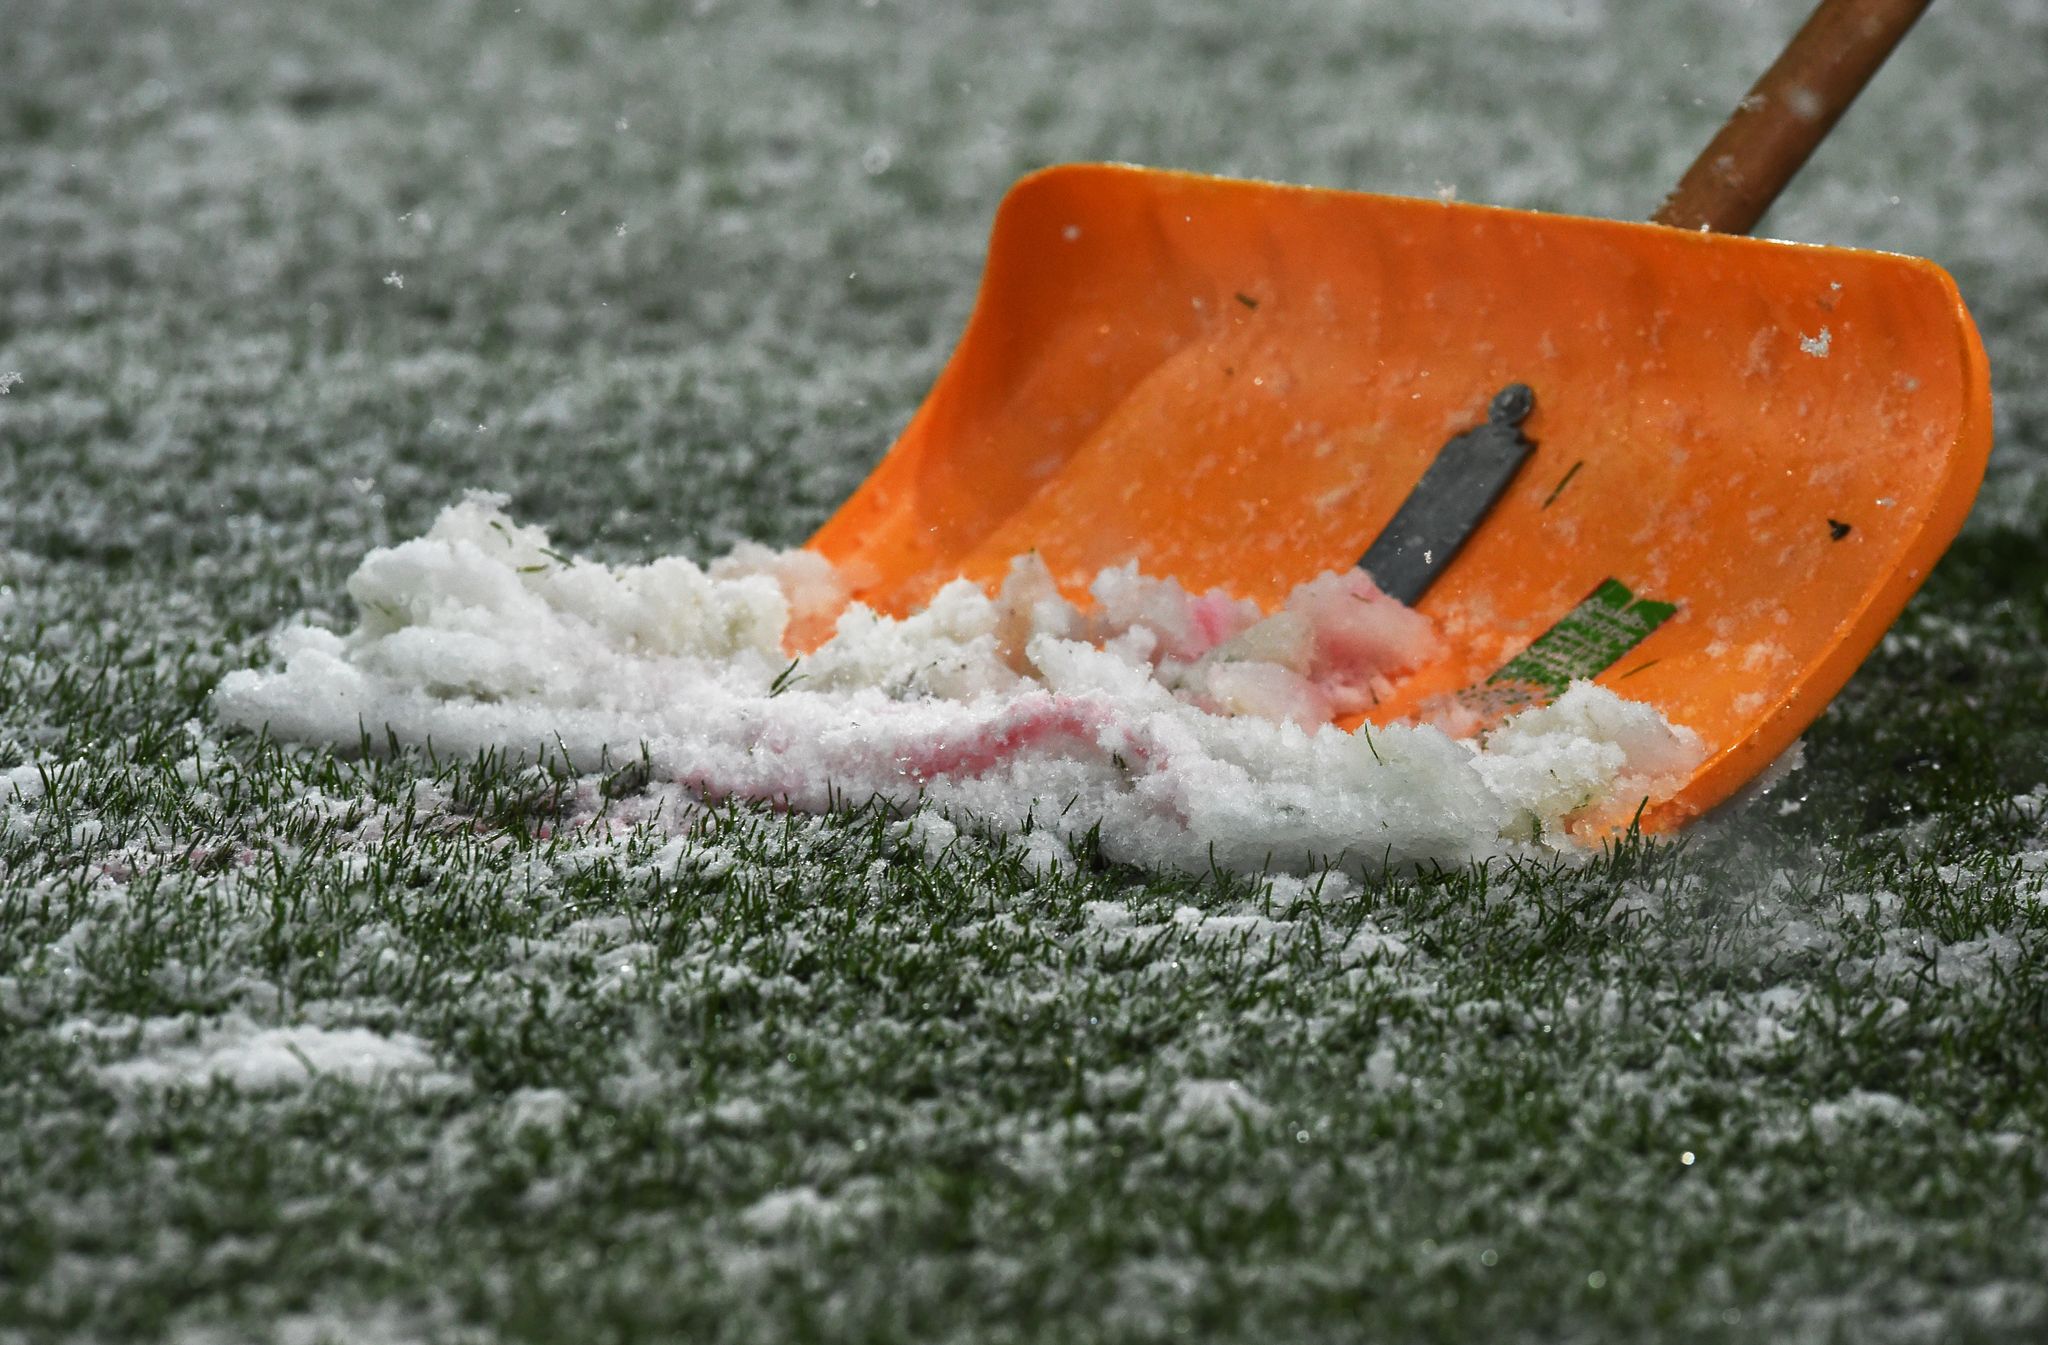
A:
(306, 1045)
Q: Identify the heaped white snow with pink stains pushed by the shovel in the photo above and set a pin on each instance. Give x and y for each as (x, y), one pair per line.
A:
(1189, 728)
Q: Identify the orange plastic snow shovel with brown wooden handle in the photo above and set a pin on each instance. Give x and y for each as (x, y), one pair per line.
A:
(1707, 472)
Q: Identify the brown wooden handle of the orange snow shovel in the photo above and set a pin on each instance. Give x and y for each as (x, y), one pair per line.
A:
(1787, 114)
